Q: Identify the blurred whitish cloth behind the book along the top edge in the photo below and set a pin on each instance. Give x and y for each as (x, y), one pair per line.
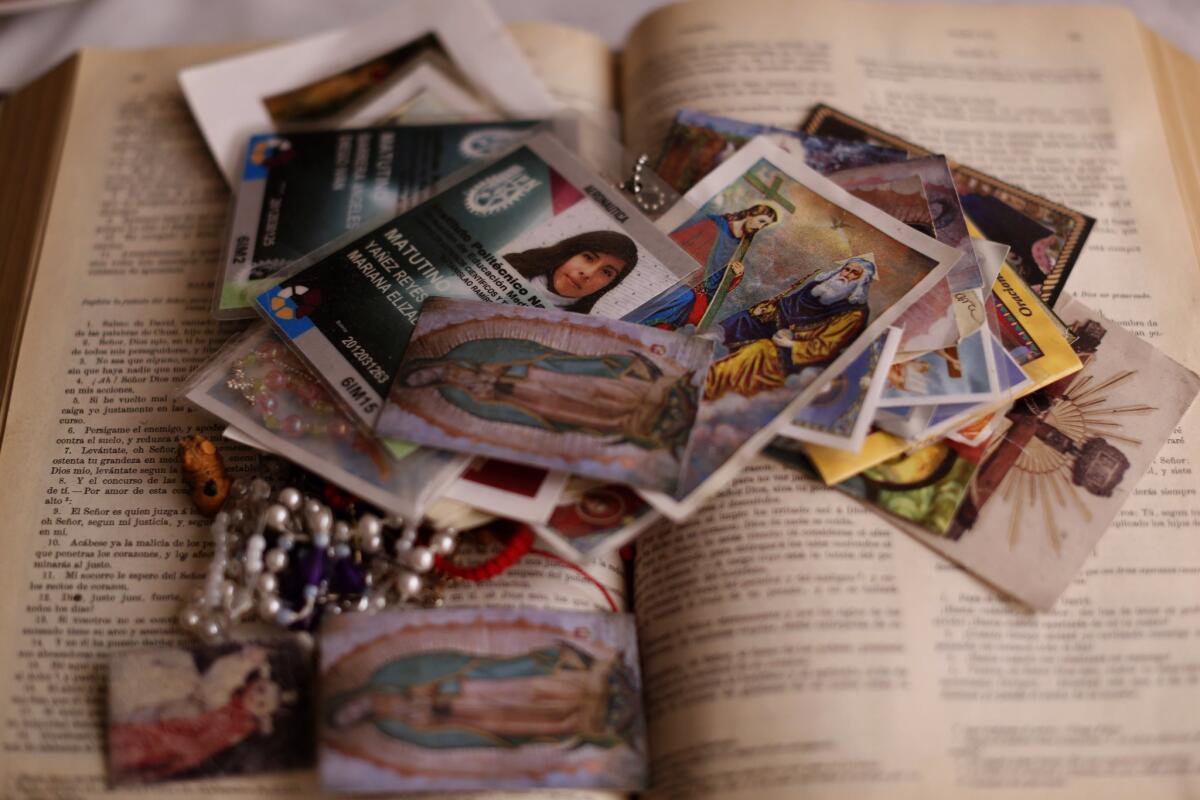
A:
(32, 43)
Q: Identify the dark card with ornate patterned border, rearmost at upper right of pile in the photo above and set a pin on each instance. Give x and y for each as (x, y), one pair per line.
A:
(1047, 238)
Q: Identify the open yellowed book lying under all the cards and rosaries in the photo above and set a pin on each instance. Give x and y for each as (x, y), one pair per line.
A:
(793, 645)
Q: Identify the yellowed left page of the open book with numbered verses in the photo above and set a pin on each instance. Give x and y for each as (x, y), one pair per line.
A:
(101, 543)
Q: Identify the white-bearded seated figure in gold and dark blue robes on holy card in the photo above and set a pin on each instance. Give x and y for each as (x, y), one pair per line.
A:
(799, 334)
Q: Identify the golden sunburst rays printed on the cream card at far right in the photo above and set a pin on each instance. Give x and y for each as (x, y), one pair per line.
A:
(1042, 477)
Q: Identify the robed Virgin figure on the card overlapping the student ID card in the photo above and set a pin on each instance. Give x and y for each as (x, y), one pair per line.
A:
(621, 395)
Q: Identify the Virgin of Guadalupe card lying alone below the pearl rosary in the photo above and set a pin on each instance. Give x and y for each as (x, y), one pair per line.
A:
(485, 699)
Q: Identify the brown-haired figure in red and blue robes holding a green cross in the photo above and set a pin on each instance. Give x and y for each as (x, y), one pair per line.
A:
(719, 242)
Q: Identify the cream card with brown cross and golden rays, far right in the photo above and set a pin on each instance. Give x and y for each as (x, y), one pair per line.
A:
(1067, 459)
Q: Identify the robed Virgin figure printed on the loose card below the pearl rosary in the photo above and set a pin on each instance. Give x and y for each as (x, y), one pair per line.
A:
(452, 700)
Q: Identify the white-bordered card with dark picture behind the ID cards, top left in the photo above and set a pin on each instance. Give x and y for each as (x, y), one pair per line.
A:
(350, 77)
